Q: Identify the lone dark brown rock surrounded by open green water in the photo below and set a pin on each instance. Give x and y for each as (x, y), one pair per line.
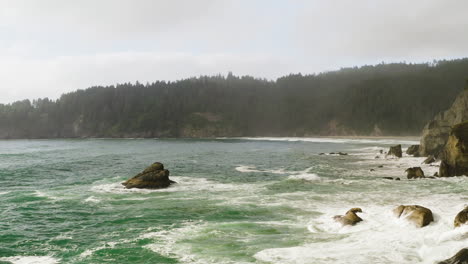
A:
(153, 177)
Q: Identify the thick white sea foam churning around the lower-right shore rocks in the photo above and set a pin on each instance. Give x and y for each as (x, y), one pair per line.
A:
(380, 238)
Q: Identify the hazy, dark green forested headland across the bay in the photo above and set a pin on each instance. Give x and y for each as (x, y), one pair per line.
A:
(385, 99)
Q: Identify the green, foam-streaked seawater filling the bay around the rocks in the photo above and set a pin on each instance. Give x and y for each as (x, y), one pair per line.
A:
(236, 201)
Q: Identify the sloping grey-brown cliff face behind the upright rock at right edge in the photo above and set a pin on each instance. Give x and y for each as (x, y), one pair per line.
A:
(436, 132)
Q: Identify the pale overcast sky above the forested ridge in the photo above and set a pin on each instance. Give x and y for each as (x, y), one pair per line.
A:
(51, 47)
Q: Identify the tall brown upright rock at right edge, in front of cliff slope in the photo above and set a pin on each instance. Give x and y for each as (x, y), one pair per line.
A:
(455, 153)
